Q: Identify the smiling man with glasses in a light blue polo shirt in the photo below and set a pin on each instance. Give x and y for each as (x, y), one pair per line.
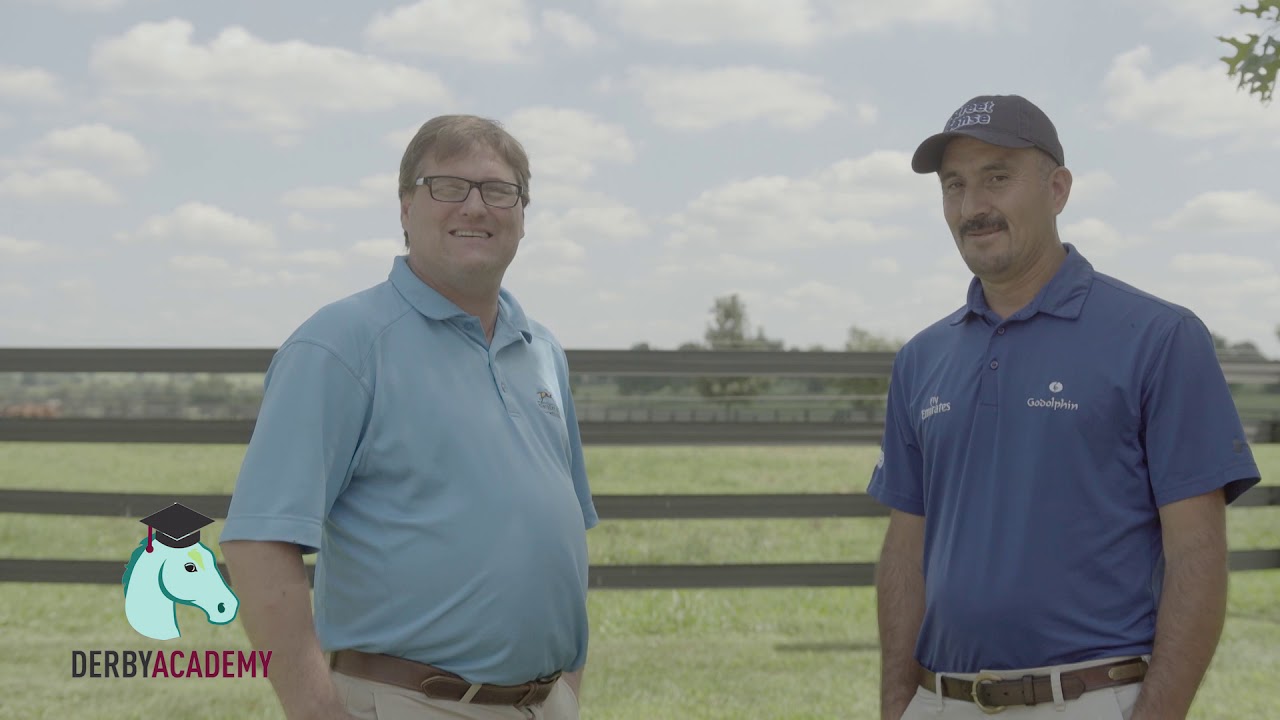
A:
(422, 438)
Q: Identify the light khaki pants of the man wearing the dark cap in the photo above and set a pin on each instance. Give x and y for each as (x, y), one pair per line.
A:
(1108, 704)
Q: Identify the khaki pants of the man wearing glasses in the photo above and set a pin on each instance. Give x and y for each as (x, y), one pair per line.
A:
(368, 700)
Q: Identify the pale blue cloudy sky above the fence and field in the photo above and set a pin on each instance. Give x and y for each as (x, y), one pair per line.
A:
(212, 174)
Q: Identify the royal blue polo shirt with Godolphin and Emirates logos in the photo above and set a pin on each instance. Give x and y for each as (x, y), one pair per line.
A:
(1040, 450)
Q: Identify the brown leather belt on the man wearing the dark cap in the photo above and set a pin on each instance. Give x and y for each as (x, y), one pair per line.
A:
(993, 694)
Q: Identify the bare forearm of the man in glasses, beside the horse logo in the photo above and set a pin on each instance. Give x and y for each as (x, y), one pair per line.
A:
(276, 609)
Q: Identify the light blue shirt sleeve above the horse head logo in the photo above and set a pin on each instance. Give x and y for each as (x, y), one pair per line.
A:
(301, 455)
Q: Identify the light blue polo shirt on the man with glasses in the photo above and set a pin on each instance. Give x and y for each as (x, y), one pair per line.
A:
(441, 479)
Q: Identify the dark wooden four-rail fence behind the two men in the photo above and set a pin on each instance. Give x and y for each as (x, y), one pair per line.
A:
(611, 508)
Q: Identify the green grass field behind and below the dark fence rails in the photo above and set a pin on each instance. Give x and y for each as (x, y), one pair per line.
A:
(771, 654)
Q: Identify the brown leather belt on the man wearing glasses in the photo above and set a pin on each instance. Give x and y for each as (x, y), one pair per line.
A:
(436, 683)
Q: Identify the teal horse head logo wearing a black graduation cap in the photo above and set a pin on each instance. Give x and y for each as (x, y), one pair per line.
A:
(173, 568)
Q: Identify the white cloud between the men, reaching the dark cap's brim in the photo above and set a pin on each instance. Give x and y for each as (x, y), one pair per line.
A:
(842, 204)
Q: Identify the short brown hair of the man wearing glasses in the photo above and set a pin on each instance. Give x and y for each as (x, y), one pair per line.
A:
(449, 136)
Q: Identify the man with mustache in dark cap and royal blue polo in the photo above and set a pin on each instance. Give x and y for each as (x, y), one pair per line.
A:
(1058, 458)
